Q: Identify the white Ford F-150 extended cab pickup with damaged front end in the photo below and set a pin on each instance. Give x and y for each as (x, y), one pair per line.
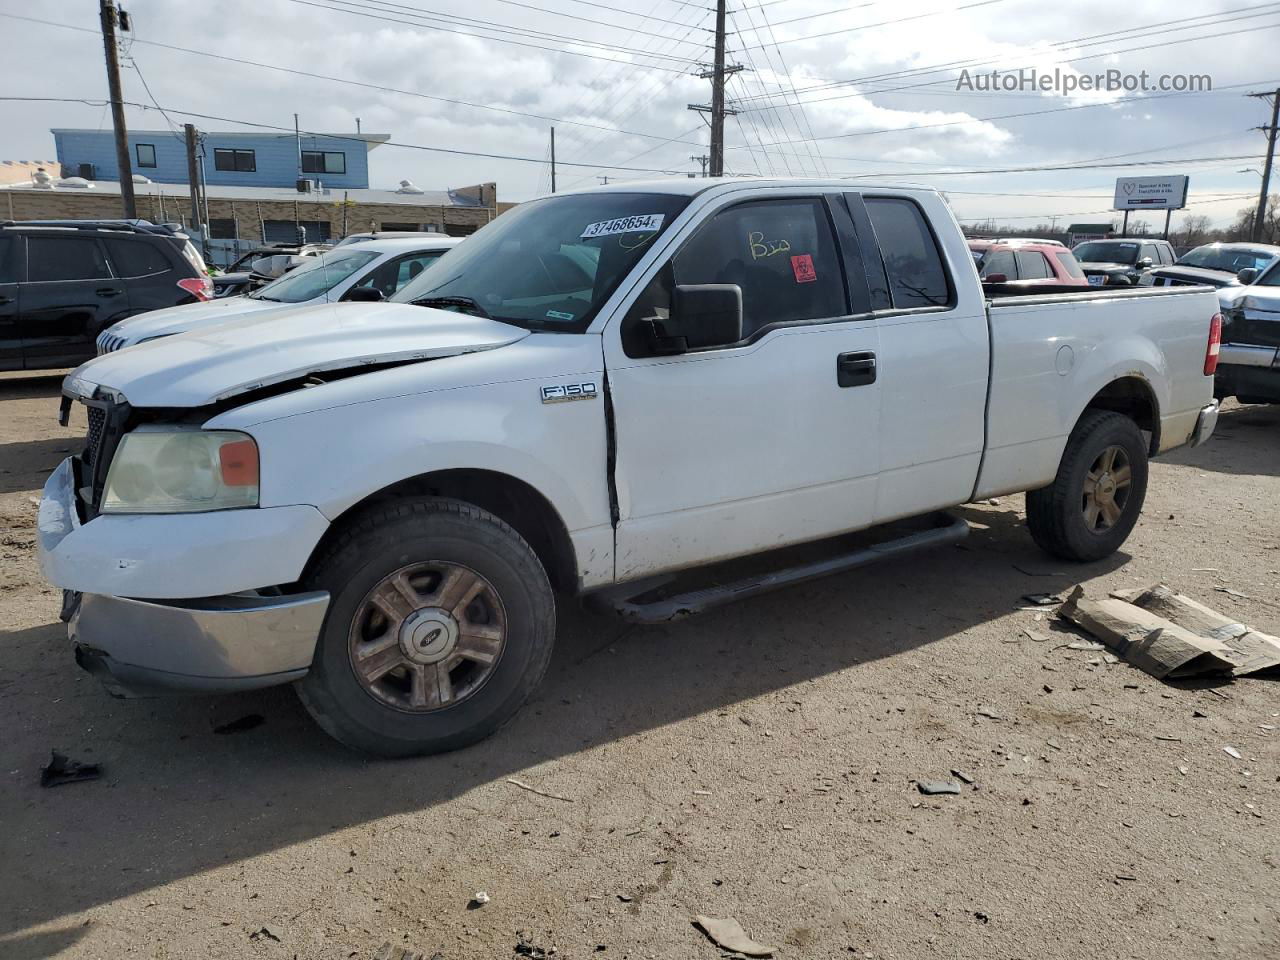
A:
(597, 392)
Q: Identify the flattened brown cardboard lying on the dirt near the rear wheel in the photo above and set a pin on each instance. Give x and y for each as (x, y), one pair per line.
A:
(1171, 636)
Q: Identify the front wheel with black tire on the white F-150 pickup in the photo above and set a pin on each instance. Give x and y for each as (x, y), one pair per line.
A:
(422, 552)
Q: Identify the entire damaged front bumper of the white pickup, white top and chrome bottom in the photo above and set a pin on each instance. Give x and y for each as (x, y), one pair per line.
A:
(138, 592)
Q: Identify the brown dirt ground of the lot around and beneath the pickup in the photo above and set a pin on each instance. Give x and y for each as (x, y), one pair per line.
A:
(756, 764)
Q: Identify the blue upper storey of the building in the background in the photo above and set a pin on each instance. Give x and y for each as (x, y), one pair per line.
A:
(332, 161)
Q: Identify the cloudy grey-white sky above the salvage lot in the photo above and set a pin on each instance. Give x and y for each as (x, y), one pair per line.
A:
(858, 89)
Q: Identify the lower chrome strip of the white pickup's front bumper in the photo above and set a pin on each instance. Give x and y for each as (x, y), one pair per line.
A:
(217, 644)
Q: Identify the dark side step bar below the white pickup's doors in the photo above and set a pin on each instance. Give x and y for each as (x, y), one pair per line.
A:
(668, 609)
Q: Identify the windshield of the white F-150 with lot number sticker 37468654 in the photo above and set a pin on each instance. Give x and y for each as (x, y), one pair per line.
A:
(550, 264)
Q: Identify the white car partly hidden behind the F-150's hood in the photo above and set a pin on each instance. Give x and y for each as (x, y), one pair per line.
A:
(377, 269)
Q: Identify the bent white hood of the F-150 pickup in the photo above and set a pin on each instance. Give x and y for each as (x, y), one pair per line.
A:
(231, 359)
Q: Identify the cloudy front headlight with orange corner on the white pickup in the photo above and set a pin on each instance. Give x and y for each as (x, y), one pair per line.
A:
(182, 472)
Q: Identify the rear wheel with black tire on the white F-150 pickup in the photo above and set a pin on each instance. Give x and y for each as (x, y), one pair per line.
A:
(1062, 519)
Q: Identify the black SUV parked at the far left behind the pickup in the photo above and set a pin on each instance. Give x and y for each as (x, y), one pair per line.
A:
(63, 282)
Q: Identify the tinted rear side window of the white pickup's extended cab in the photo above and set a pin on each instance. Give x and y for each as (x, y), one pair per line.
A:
(916, 273)
